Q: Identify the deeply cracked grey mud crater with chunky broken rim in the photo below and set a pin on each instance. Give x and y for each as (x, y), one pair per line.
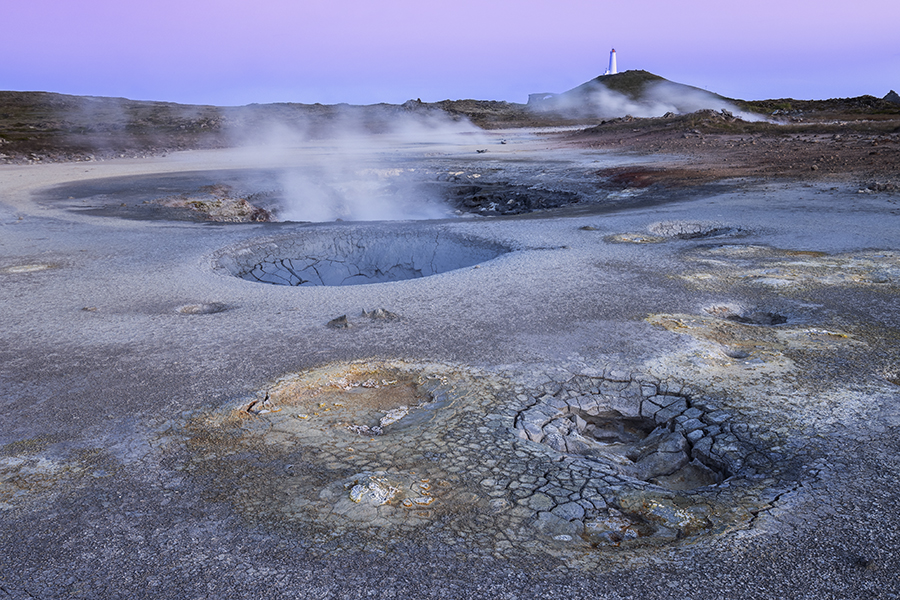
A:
(666, 439)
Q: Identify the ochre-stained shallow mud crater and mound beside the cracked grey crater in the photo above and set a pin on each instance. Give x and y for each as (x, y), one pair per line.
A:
(346, 449)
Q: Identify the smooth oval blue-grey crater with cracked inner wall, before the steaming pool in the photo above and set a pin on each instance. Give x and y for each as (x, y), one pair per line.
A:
(356, 256)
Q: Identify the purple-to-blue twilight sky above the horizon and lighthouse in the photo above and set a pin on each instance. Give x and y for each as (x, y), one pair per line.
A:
(236, 52)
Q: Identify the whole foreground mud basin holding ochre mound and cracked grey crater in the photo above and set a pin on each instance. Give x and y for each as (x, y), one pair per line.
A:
(361, 455)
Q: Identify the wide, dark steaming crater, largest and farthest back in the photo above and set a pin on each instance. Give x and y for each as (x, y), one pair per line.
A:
(304, 193)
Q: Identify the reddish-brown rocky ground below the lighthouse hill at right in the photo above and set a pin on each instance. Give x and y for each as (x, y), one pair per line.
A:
(820, 145)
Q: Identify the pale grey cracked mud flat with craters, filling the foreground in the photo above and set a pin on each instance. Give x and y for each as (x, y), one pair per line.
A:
(684, 384)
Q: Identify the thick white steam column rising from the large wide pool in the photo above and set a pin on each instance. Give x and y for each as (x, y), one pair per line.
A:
(354, 165)
